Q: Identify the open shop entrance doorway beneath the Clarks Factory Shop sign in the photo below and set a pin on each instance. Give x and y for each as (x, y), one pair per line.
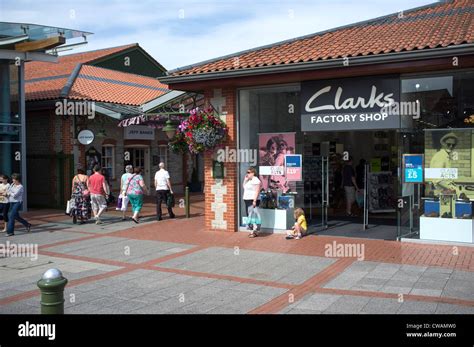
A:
(324, 197)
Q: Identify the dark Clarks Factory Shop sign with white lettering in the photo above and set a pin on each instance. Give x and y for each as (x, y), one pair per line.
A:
(349, 104)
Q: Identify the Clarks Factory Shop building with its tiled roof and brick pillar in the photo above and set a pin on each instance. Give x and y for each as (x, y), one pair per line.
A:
(295, 98)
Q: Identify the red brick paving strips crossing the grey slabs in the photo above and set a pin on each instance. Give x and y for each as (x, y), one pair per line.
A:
(376, 250)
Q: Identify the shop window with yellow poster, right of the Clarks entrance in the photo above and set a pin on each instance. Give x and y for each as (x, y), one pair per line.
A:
(442, 135)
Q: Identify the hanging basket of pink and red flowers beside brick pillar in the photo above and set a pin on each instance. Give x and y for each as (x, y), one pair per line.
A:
(201, 132)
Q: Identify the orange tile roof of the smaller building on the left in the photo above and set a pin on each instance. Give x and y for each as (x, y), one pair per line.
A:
(47, 80)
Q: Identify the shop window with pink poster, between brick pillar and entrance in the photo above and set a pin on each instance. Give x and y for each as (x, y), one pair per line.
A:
(269, 126)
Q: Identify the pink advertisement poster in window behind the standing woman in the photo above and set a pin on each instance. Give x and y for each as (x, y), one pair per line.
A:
(272, 150)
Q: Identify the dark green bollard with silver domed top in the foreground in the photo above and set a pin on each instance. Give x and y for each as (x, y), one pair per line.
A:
(52, 286)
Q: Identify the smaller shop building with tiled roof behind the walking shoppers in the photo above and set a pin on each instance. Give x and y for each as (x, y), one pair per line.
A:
(89, 109)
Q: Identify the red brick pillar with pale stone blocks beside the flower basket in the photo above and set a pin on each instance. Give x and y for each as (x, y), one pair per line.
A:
(221, 195)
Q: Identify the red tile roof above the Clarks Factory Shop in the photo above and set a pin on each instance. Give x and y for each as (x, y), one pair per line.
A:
(438, 25)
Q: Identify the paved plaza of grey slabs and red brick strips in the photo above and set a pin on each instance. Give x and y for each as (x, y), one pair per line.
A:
(177, 267)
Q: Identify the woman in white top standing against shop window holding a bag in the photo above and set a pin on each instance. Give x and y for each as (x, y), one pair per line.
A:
(251, 199)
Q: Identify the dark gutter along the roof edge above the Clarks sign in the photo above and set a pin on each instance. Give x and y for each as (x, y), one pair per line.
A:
(450, 51)
